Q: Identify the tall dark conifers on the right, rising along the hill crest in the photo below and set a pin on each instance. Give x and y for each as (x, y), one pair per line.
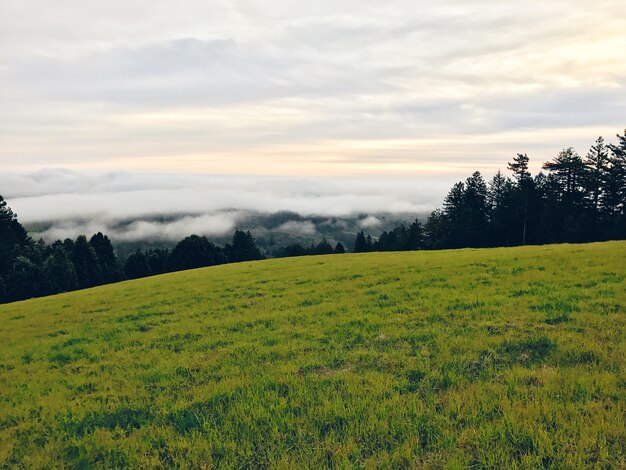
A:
(574, 199)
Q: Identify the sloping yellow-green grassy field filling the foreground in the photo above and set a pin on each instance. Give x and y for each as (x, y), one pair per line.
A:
(499, 358)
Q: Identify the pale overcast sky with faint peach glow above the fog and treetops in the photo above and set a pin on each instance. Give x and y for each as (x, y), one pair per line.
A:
(355, 89)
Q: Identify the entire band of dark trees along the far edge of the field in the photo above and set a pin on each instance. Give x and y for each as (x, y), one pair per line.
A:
(575, 199)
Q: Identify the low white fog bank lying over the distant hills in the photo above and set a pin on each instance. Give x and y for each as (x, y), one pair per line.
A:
(59, 203)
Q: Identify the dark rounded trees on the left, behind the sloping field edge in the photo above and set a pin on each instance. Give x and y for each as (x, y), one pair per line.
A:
(31, 268)
